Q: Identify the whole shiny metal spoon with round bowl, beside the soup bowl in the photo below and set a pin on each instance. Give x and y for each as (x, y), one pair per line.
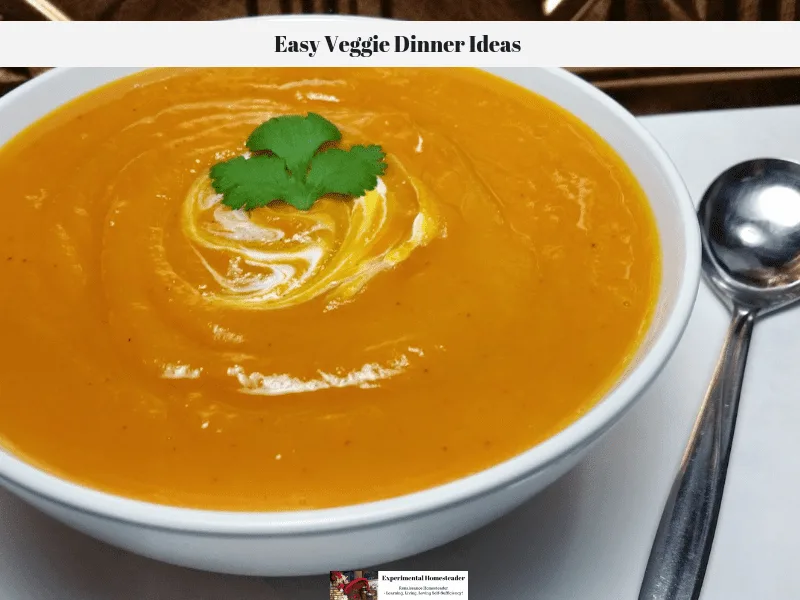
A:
(750, 220)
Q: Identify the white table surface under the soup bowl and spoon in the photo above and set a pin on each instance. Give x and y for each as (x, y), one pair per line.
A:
(588, 536)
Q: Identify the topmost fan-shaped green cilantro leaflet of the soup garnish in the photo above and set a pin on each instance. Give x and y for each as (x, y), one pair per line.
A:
(294, 138)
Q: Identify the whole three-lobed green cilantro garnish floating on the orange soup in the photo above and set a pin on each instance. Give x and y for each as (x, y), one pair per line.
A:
(287, 164)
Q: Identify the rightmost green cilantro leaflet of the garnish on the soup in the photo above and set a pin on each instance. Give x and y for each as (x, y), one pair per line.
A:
(351, 172)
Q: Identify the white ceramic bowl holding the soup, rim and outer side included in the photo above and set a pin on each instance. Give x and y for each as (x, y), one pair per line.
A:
(316, 541)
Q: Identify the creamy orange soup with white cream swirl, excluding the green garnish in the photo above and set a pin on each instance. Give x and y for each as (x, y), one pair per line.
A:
(161, 346)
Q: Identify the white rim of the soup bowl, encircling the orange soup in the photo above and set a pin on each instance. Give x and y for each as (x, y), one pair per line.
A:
(31, 481)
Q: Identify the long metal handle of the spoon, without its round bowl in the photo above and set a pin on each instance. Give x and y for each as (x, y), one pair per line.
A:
(682, 545)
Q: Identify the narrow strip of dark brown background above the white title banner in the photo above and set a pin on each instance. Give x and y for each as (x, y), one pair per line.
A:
(457, 10)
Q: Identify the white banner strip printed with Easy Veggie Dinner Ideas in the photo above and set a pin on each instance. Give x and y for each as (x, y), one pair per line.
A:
(349, 41)
